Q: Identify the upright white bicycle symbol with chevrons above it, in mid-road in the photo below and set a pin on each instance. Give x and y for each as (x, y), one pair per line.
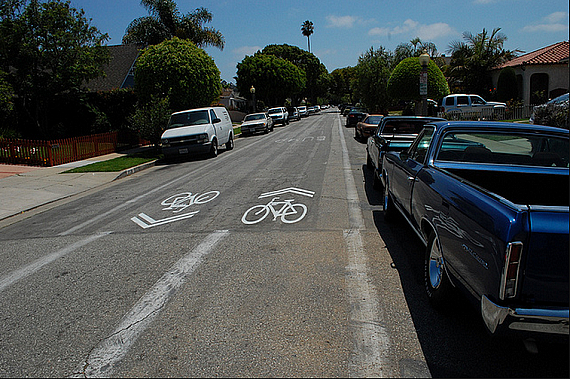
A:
(286, 210)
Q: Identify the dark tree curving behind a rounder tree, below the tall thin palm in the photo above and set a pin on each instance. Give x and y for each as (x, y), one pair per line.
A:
(316, 74)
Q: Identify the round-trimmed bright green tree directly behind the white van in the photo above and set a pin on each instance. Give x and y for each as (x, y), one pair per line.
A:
(179, 70)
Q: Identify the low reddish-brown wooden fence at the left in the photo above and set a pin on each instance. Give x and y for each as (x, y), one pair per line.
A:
(56, 152)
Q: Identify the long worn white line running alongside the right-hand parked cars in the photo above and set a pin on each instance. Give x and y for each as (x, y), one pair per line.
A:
(372, 341)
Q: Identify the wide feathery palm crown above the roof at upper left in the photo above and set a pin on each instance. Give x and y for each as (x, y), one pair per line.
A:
(165, 22)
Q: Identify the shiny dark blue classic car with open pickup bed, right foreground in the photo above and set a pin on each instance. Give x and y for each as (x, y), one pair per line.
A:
(490, 202)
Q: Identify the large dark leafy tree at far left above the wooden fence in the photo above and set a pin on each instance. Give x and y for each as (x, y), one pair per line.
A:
(48, 50)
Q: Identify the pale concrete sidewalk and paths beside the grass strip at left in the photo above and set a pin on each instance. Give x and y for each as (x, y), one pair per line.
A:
(23, 188)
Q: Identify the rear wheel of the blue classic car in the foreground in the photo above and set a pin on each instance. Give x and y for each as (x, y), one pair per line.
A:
(437, 283)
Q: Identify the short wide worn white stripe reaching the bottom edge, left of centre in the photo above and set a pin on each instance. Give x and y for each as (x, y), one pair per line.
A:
(103, 359)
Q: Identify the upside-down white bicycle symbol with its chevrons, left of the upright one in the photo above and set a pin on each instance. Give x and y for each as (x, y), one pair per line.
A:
(176, 203)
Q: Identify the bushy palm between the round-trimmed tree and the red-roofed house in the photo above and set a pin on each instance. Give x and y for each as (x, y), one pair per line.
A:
(472, 59)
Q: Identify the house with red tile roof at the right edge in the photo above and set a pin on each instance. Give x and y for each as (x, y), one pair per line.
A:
(543, 71)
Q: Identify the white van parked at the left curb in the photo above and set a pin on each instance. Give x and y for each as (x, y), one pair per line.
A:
(197, 131)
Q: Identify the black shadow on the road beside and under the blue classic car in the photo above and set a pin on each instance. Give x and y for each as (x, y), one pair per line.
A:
(455, 343)
